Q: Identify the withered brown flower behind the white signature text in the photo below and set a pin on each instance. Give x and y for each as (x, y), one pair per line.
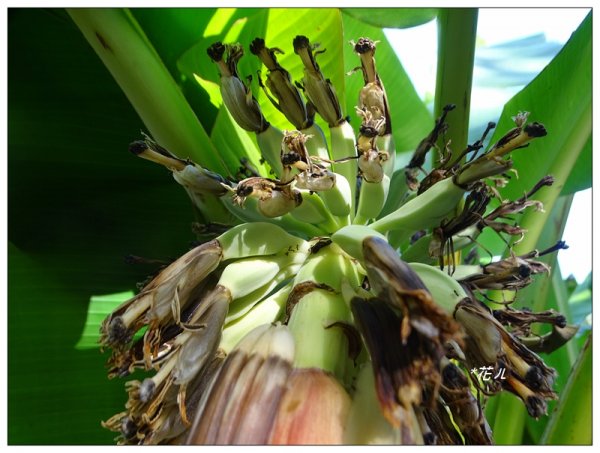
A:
(489, 344)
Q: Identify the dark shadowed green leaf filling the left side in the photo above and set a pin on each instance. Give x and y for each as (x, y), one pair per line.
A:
(78, 203)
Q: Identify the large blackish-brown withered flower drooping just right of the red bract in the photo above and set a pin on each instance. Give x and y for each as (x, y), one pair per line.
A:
(405, 333)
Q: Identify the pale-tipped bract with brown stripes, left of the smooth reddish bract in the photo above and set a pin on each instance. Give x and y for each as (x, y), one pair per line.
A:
(242, 403)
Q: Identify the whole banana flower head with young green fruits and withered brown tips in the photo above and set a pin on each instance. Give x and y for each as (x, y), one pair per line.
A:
(336, 307)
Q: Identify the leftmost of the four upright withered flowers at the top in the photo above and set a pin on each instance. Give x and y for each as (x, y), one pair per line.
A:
(237, 96)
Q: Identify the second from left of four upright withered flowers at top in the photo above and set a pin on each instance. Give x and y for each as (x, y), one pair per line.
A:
(283, 94)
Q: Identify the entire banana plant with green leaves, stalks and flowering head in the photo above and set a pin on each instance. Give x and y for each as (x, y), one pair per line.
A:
(341, 266)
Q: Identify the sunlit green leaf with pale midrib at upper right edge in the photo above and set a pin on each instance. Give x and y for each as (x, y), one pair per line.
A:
(560, 98)
